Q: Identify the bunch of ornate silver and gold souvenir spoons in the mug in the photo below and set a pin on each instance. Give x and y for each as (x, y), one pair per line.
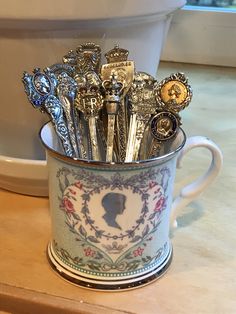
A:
(108, 112)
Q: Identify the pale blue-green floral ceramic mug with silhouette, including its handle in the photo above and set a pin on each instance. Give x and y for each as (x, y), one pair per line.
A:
(110, 222)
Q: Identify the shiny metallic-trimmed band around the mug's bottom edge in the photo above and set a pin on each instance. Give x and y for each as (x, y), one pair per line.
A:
(108, 285)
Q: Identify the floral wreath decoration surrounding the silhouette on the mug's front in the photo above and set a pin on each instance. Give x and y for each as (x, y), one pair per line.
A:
(97, 258)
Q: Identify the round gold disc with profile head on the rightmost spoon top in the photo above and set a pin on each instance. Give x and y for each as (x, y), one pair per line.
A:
(174, 92)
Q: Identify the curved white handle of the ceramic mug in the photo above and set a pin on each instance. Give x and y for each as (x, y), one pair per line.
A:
(189, 192)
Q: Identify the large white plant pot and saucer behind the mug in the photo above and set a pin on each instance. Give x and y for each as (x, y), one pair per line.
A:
(38, 34)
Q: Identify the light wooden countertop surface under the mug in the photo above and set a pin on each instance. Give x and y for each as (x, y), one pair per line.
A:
(201, 278)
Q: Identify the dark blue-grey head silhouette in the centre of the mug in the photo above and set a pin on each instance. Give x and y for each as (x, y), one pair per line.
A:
(113, 204)
